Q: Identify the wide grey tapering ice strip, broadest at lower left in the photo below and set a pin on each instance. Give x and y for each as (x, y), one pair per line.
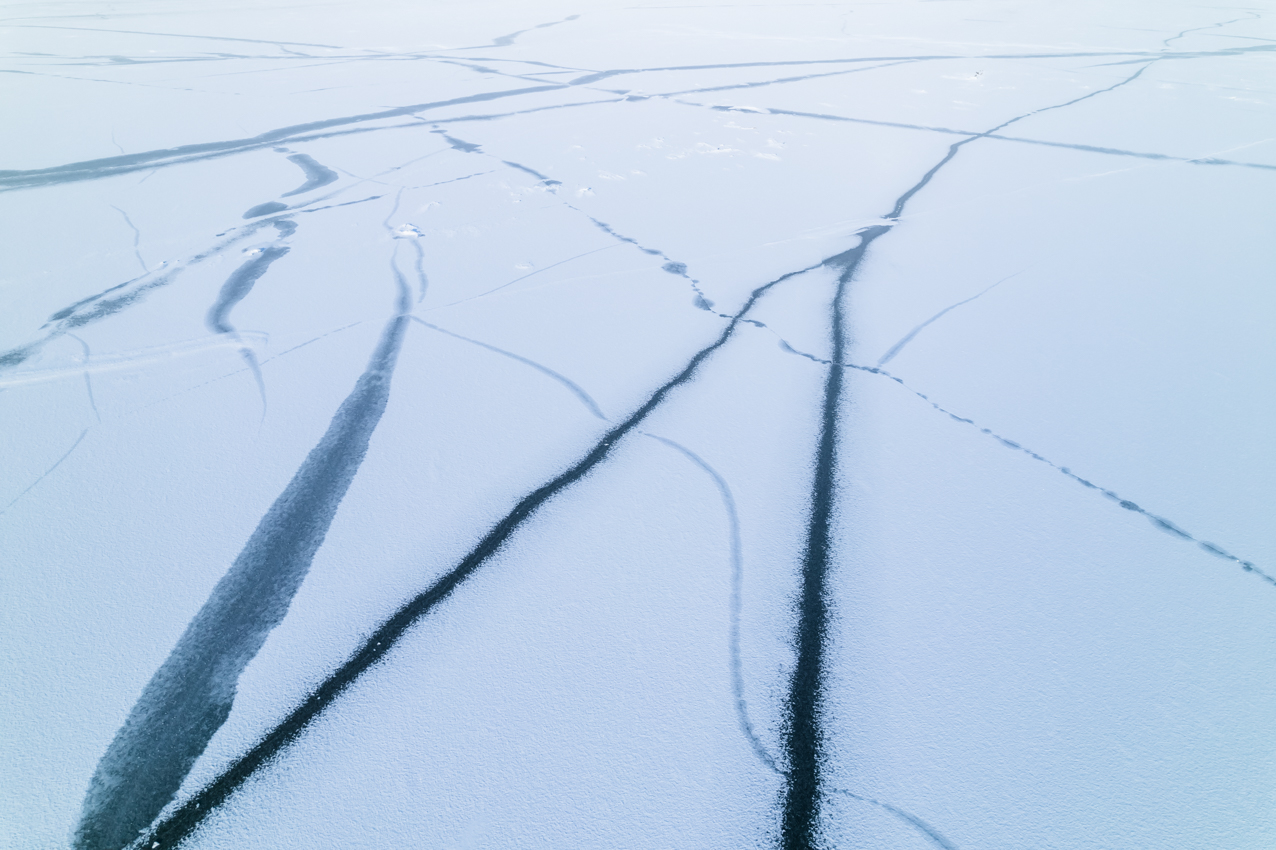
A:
(191, 696)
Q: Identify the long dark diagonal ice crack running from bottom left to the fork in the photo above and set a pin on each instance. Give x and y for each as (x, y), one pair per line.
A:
(188, 817)
